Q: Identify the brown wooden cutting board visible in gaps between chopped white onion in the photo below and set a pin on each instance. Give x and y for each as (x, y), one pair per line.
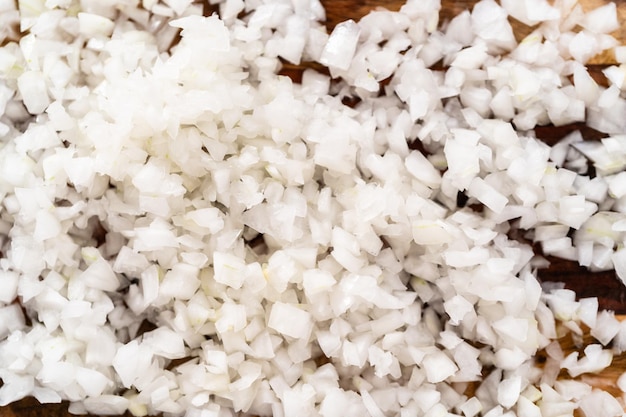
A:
(604, 285)
